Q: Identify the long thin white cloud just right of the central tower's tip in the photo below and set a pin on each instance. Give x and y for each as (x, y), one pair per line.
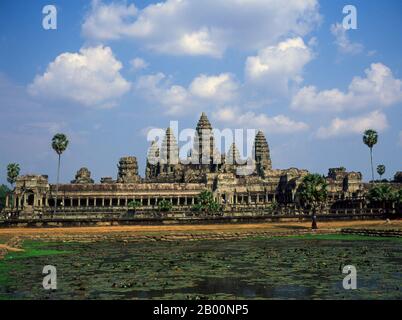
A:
(276, 124)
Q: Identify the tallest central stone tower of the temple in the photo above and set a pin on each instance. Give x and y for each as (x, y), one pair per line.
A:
(204, 145)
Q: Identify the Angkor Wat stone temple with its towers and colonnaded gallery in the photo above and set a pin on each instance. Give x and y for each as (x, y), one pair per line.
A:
(240, 186)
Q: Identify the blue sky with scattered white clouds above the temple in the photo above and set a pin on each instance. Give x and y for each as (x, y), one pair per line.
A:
(113, 69)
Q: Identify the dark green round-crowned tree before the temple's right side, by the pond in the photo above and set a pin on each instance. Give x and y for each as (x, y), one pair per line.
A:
(312, 192)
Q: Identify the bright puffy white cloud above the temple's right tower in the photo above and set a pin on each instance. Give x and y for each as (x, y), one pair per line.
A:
(278, 65)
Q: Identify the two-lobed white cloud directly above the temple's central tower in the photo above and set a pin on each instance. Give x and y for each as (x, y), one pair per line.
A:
(176, 99)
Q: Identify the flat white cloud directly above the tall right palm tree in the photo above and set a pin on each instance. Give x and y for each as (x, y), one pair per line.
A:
(355, 125)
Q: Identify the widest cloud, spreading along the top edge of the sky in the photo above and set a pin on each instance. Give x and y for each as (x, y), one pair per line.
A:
(192, 27)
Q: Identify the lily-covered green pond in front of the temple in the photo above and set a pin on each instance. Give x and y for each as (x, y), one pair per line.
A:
(302, 267)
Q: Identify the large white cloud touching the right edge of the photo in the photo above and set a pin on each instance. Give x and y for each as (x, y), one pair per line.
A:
(378, 89)
